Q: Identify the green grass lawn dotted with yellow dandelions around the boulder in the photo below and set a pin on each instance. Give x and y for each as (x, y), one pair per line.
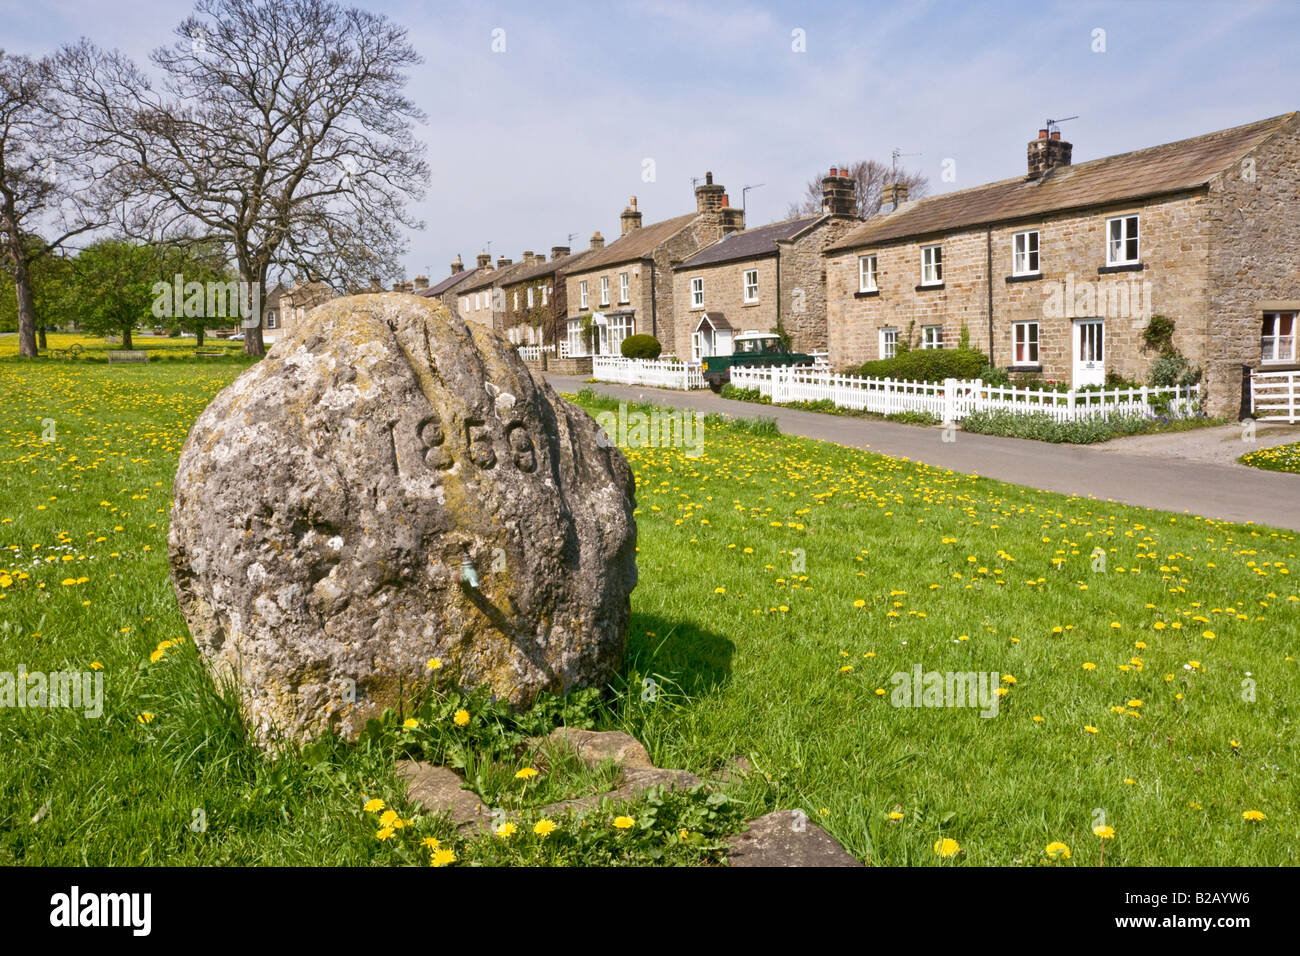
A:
(782, 585)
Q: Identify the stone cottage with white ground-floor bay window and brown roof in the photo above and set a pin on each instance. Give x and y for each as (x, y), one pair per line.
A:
(626, 288)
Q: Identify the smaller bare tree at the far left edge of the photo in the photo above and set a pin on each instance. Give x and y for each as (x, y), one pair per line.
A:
(38, 176)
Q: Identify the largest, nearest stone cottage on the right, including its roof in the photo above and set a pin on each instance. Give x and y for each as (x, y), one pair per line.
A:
(1058, 272)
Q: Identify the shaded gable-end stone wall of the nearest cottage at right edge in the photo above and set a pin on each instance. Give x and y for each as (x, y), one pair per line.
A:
(1255, 261)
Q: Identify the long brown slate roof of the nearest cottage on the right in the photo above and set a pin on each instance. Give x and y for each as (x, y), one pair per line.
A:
(1156, 171)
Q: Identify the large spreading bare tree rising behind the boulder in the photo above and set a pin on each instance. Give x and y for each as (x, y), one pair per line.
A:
(283, 131)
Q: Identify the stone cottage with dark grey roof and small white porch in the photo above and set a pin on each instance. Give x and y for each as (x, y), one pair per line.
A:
(765, 279)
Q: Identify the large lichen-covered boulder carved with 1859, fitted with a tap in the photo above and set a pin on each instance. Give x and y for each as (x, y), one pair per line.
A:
(337, 503)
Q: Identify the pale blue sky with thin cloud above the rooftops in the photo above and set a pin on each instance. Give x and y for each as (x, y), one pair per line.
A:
(552, 136)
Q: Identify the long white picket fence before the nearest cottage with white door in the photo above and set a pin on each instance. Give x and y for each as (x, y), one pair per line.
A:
(954, 400)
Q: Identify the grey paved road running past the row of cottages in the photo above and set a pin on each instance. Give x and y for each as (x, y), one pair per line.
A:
(1224, 492)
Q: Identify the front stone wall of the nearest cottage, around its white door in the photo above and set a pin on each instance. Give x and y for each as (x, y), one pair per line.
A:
(1175, 237)
